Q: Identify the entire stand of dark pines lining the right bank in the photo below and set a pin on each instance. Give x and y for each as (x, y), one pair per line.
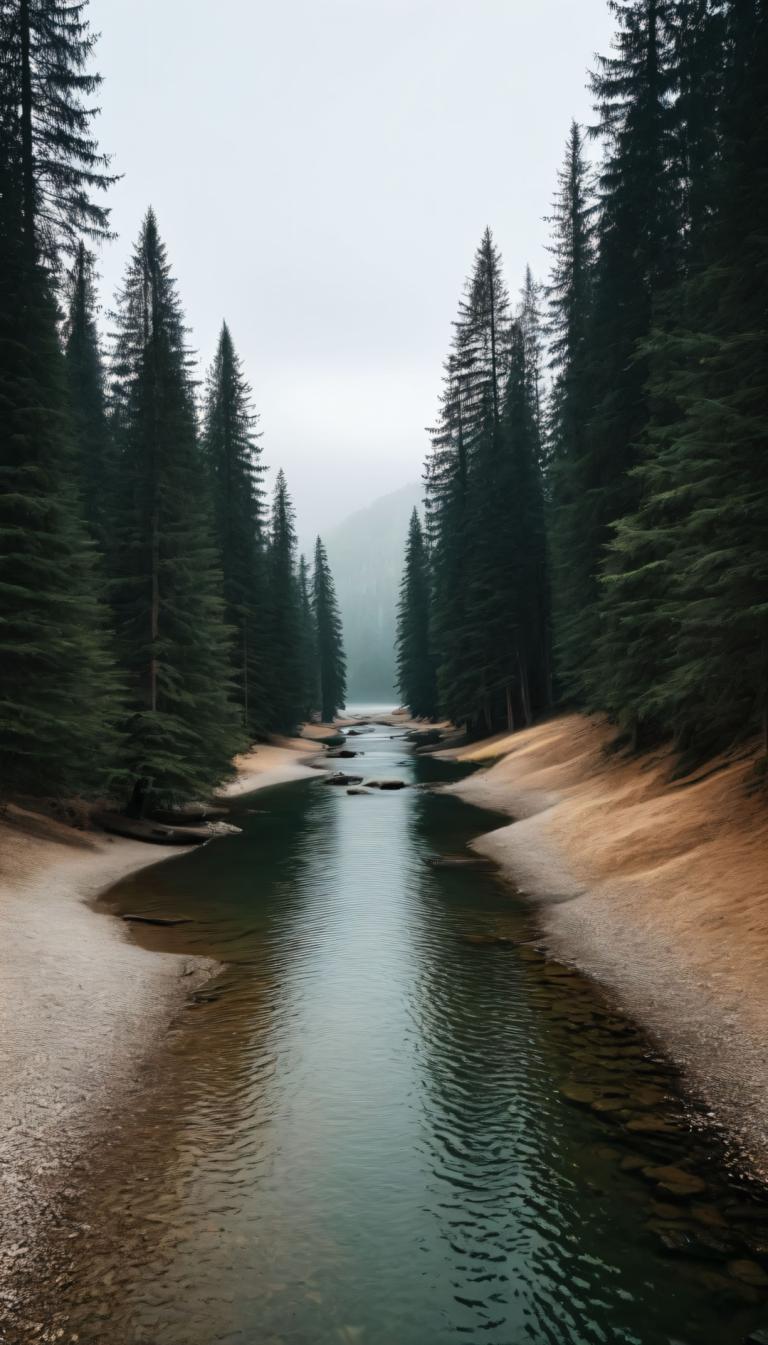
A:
(598, 489)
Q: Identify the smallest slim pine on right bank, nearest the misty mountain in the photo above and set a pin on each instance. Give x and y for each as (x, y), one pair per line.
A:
(416, 672)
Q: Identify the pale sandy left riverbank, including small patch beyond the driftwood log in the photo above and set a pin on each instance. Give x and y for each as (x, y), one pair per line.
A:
(81, 1004)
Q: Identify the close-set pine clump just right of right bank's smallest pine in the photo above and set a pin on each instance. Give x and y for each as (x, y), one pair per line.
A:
(486, 512)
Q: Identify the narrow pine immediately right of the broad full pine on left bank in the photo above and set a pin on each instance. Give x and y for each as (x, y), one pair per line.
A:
(235, 466)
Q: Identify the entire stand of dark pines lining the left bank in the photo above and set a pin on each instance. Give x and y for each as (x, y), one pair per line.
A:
(154, 618)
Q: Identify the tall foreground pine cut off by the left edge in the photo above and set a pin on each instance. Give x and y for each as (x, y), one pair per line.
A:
(57, 684)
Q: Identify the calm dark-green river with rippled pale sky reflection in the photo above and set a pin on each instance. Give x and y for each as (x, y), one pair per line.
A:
(383, 1126)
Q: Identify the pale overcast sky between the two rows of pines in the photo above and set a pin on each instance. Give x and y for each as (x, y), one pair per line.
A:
(322, 173)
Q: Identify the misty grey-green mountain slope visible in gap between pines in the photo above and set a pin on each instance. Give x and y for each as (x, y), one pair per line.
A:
(367, 553)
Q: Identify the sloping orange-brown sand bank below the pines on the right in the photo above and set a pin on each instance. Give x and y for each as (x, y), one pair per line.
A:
(657, 887)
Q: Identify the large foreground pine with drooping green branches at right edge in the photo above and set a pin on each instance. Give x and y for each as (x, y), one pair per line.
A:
(688, 590)
